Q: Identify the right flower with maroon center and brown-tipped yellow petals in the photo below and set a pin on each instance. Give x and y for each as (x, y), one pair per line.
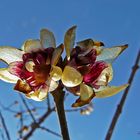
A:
(88, 68)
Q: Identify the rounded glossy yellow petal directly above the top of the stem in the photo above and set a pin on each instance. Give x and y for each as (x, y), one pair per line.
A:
(71, 77)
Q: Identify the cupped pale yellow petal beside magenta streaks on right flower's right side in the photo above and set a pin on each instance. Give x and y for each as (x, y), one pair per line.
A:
(106, 76)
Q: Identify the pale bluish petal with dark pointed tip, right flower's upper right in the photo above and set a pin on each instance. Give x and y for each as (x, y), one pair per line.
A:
(110, 54)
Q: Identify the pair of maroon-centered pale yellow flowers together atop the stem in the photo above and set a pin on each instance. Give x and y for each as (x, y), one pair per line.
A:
(38, 67)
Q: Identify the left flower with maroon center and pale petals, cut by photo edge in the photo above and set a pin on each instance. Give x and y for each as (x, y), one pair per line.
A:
(35, 68)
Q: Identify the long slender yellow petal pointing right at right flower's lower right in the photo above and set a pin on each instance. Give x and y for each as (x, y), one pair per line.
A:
(110, 91)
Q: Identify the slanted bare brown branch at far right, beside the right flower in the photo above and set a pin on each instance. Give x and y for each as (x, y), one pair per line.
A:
(121, 104)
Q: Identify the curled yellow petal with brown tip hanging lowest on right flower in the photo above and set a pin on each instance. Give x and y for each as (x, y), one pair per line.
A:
(86, 95)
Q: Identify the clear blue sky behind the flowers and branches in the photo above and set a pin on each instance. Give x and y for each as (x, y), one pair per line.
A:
(114, 22)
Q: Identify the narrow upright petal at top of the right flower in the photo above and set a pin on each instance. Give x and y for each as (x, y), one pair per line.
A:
(69, 40)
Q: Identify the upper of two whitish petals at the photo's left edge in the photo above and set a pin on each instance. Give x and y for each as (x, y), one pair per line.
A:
(9, 54)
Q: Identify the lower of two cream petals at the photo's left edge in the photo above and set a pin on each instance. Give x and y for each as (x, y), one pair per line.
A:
(7, 77)
